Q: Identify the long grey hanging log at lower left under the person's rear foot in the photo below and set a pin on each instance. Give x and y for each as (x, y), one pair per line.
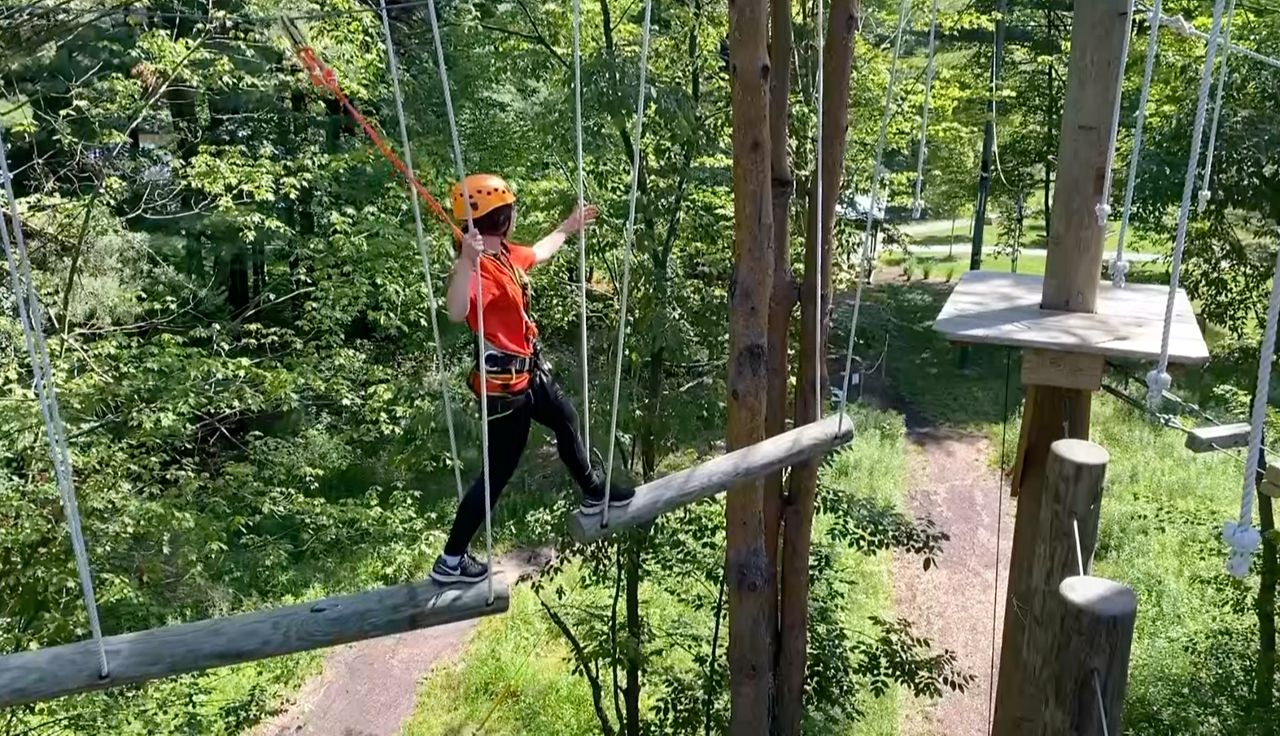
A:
(47, 674)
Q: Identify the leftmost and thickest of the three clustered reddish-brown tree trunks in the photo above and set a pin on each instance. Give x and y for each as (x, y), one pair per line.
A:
(747, 560)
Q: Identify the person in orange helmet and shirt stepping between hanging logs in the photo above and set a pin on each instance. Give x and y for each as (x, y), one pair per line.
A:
(522, 388)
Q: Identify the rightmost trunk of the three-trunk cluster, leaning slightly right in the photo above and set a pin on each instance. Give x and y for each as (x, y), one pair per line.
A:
(798, 515)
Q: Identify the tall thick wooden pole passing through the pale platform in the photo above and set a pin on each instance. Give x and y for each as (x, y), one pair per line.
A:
(1072, 277)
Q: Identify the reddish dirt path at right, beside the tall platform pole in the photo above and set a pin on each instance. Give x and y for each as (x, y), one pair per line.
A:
(954, 483)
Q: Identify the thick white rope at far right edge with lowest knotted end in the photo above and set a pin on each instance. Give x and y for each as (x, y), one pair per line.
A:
(1240, 536)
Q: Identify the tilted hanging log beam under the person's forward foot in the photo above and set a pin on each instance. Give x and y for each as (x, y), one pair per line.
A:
(587, 528)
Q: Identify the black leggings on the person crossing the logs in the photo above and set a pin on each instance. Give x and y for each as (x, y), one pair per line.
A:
(545, 403)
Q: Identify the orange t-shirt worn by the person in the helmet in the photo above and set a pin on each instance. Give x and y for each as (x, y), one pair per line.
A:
(508, 327)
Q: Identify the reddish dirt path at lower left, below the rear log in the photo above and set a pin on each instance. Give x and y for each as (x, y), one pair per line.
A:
(371, 688)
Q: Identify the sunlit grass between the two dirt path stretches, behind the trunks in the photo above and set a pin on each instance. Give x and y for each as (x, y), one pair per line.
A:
(516, 678)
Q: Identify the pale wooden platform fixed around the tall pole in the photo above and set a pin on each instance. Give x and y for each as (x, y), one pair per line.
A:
(990, 308)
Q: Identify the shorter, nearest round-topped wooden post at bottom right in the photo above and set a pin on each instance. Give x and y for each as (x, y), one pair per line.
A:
(1091, 676)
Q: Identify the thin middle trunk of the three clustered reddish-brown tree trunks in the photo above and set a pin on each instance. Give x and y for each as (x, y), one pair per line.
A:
(784, 296)
